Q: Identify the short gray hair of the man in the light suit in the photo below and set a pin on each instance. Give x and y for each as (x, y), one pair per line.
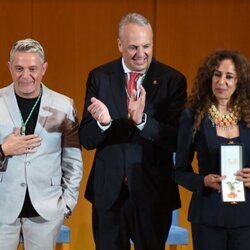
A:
(27, 45)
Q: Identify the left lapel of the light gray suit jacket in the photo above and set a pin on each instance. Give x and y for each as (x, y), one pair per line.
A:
(12, 106)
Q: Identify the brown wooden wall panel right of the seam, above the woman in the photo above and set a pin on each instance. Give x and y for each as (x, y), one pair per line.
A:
(187, 31)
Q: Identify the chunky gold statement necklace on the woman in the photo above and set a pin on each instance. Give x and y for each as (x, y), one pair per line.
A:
(221, 121)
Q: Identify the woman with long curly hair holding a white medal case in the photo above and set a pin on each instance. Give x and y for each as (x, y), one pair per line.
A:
(218, 112)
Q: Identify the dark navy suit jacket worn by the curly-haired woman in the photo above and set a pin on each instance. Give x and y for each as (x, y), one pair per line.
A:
(206, 206)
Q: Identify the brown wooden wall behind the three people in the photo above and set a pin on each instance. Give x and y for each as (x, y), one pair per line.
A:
(78, 35)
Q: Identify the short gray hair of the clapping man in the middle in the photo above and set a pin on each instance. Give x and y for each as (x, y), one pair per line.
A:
(134, 18)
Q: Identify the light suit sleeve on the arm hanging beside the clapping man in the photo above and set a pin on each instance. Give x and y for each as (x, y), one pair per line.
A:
(71, 159)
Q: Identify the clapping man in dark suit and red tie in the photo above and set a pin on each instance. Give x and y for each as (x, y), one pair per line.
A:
(134, 134)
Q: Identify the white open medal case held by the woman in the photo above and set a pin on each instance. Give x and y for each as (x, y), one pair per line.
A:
(231, 161)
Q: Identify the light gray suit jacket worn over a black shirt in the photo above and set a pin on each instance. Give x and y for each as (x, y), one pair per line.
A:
(53, 173)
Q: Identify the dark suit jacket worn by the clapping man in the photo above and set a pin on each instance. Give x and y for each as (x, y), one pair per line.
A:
(145, 157)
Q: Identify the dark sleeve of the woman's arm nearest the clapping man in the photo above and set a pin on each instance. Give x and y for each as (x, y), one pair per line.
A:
(184, 174)
